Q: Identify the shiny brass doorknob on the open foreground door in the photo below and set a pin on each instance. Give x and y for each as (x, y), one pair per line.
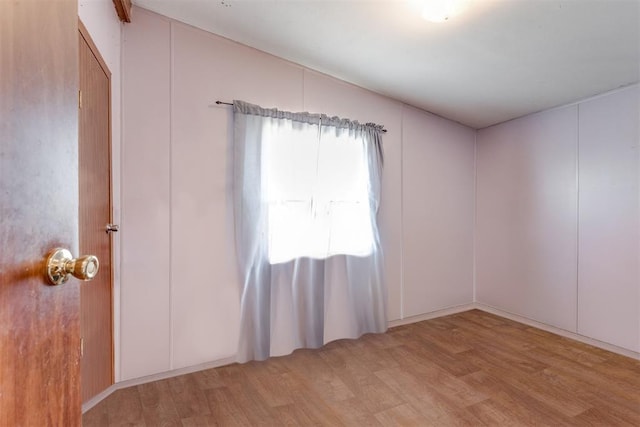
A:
(60, 264)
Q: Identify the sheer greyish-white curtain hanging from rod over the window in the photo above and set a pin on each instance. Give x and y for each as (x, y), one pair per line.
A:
(306, 196)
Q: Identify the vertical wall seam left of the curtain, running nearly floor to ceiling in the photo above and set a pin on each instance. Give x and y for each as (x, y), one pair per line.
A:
(170, 195)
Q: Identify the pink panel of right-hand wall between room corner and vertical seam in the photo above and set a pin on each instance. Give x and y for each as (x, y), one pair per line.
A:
(526, 218)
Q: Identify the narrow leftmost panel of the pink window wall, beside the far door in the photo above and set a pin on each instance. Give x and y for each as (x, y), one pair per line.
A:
(145, 319)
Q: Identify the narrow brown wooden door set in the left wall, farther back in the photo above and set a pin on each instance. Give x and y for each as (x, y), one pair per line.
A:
(95, 213)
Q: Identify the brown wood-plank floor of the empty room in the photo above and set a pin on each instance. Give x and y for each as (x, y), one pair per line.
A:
(471, 368)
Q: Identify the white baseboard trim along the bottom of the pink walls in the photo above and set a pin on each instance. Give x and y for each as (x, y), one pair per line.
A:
(392, 324)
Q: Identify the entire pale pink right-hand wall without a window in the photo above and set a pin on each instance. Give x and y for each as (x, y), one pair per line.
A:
(558, 218)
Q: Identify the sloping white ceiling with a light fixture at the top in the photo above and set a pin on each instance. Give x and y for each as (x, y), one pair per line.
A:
(498, 60)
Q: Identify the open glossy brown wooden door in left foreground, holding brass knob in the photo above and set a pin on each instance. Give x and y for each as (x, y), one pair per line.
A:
(39, 323)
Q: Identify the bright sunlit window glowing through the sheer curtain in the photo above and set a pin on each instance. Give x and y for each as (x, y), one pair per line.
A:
(317, 192)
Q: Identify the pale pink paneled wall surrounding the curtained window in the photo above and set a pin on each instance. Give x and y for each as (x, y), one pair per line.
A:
(180, 301)
